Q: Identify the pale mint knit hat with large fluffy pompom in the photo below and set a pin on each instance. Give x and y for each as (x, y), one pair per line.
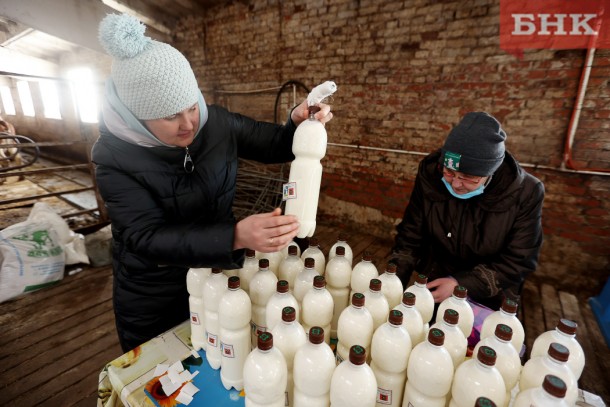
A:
(152, 79)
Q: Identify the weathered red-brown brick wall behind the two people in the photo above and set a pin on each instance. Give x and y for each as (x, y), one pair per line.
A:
(406, 73)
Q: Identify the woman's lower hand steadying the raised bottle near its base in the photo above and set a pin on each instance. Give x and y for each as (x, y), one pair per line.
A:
(266, 232)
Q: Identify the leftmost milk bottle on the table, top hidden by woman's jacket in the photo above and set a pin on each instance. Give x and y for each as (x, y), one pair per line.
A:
(195, 278)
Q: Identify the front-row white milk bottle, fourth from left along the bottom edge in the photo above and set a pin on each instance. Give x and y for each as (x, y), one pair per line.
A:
(429, 373)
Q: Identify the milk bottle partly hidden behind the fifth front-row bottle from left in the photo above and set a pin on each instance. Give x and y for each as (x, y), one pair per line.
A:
(508, 361)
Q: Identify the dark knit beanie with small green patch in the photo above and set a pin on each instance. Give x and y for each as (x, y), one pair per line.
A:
(475, 146)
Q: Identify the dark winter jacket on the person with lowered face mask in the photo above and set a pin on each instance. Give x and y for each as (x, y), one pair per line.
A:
(488, 243)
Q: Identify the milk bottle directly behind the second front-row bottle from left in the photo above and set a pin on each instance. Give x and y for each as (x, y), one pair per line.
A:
(318, 307)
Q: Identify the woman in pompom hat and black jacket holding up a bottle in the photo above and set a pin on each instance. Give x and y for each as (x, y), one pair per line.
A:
(166, 166)
